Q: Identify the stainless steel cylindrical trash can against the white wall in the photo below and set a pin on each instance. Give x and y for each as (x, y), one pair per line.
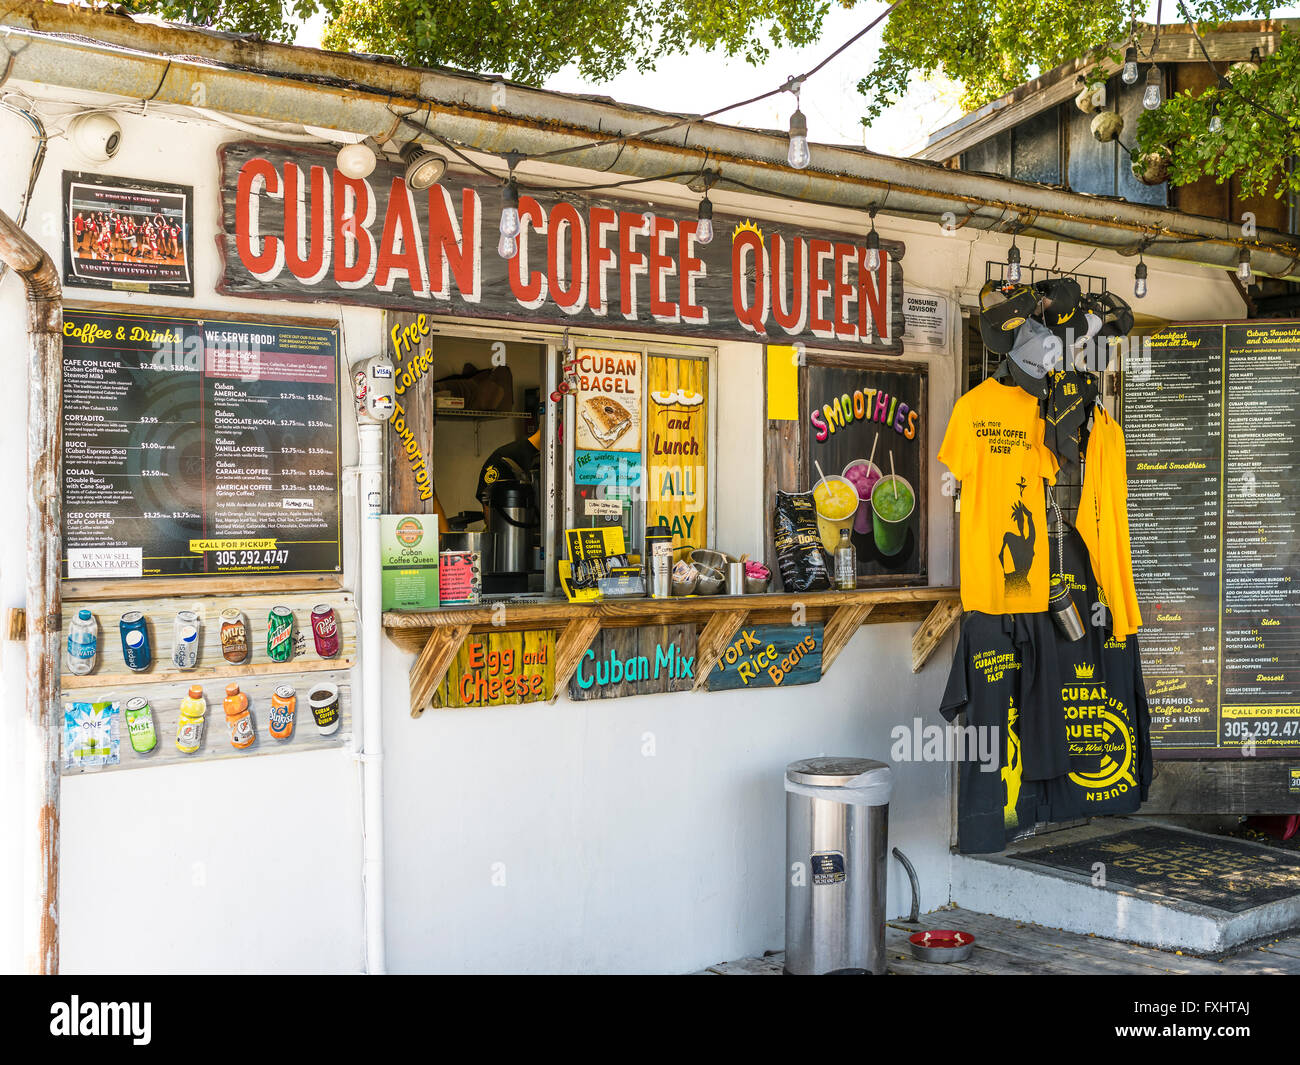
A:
(837, 850)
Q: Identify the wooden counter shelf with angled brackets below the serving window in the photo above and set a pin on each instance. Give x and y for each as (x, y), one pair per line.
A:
(436, 637)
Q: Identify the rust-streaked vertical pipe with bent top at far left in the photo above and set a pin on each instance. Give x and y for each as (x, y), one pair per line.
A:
(45, 531)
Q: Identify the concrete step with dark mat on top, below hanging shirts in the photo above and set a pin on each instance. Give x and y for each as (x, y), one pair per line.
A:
(1246, 891)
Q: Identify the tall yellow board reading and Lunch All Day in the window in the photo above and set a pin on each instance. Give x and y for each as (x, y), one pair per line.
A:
(677, 460)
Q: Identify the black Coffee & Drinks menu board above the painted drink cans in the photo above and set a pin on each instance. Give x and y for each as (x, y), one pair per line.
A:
(200, 448)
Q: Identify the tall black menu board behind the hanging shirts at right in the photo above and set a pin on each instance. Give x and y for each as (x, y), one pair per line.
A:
(1211, 427)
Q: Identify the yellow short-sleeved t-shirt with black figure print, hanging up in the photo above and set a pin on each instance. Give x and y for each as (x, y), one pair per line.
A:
(994, 447)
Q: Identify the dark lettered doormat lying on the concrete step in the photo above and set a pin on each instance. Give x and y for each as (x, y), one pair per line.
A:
(1214, 872)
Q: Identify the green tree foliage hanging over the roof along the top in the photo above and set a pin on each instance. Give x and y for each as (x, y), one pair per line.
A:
(989, 46)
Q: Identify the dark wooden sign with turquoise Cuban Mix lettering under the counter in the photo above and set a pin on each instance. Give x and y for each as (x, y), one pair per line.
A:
(636, 663)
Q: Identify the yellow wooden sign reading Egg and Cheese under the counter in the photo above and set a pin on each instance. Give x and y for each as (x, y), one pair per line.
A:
(500, 669)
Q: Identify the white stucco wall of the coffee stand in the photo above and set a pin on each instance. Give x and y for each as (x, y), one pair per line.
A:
(626, 835)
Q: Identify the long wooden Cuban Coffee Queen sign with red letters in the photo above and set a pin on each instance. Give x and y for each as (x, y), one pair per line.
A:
(294, 228)
